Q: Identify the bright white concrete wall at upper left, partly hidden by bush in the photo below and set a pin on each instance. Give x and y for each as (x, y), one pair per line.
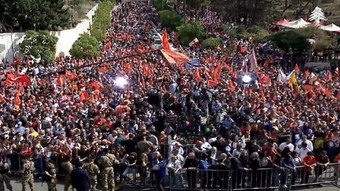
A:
(9, 42)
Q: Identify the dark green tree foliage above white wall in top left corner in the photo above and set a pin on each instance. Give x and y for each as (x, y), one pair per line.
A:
(34, 14)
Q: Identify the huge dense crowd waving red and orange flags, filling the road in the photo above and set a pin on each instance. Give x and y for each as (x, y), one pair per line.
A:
(165, 119)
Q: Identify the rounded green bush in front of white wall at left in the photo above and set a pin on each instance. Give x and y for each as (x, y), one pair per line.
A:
(40, 45)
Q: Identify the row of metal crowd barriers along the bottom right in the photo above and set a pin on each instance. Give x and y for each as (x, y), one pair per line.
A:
(259, 179)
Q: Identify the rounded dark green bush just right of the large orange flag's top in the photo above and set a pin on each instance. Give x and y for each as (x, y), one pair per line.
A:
(189, 31)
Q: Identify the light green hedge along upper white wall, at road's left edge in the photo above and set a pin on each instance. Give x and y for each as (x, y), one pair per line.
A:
(102, 20)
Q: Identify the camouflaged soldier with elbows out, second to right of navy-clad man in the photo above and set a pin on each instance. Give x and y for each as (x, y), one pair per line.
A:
(107, 172)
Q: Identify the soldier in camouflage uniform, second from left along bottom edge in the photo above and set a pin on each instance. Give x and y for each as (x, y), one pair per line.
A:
(28, 178)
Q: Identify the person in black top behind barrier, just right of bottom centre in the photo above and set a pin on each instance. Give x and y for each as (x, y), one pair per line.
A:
(190, 165)
